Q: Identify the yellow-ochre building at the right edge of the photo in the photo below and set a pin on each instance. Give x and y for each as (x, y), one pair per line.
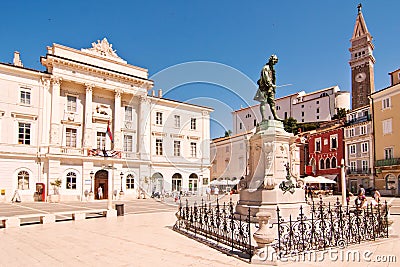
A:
(386, 113)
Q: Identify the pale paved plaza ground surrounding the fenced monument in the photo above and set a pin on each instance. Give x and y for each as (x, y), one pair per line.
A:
(143, 237)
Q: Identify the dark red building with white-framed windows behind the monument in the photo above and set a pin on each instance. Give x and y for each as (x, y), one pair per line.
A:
(325, 152)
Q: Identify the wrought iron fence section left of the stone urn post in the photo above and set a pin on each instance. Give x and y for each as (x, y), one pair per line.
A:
(218, 224)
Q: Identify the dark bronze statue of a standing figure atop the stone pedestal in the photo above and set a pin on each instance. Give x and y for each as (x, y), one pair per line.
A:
(266, 88)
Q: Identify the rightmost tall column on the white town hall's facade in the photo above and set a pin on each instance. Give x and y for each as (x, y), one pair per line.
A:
(144, 129)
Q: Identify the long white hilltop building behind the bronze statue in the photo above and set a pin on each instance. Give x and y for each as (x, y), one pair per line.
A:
(316, 106)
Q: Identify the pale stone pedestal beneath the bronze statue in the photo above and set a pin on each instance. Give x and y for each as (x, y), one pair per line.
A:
(270, 162)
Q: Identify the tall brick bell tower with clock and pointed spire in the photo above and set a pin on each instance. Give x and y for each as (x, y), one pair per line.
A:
(361, 62)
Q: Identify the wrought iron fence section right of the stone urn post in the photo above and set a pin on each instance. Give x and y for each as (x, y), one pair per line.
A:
(329, 225)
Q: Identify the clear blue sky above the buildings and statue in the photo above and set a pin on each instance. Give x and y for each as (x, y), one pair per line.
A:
(311, 39)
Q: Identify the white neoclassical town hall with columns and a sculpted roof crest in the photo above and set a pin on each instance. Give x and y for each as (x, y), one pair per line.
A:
(92, 120)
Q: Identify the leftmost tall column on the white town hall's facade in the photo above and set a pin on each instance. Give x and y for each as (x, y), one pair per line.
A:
(56, 109)
